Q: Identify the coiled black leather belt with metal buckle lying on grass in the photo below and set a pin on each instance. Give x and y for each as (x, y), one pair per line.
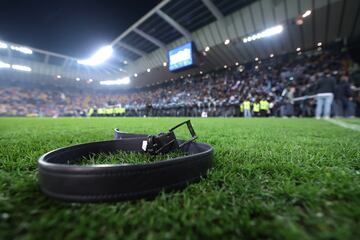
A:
(61, 178)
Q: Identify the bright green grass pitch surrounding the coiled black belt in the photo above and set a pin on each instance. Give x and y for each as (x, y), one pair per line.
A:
(271, 179)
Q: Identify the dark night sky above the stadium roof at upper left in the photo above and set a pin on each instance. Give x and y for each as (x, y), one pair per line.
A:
(72, 27)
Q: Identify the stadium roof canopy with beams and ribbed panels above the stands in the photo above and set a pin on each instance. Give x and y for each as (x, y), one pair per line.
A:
(209, 23)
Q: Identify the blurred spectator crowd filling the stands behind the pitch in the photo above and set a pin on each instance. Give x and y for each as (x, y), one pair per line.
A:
(268, 87)
